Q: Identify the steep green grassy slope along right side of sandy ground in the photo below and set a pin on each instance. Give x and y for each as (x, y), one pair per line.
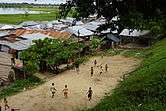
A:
(144, 89)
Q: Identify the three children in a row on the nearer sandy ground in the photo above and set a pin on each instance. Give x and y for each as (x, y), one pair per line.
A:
(65, 91)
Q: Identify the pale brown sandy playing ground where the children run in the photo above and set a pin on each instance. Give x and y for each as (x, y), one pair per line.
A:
(39, 99)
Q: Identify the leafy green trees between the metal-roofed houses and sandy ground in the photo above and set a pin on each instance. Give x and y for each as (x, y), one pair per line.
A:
(49, 52)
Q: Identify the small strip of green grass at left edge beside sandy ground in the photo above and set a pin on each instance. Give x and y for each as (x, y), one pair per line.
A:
(19, 85)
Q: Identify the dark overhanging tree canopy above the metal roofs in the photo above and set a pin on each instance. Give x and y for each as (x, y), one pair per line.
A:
(140, 14)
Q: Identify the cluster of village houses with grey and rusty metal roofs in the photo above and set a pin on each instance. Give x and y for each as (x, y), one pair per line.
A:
(16, 38)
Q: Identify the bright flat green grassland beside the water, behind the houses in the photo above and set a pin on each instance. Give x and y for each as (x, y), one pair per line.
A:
(18, 18)
